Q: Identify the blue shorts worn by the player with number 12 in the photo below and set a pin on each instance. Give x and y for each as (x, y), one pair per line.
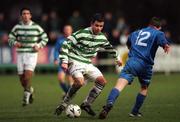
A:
(137, 68)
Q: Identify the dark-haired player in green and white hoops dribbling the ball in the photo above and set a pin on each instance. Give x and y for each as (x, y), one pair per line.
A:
(76, 56)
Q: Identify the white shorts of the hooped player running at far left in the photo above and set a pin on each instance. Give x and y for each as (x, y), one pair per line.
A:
(26, 61)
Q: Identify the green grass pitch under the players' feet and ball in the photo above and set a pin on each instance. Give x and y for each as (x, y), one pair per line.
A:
(162, 103)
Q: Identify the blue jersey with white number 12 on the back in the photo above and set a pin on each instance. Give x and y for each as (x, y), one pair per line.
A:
(144, 44)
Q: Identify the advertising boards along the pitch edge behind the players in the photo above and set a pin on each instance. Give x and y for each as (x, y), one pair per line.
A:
(163, 62)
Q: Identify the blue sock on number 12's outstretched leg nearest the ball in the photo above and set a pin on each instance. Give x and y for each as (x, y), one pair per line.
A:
(113, 96)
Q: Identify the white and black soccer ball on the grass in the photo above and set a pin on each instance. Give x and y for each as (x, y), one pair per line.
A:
(73, 111)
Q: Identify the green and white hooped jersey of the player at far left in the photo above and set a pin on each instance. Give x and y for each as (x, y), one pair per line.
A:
(28, 36)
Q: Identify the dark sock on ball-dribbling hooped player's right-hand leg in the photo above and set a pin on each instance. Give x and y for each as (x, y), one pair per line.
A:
(94, 93)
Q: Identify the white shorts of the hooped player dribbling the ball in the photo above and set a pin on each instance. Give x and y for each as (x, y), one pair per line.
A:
(86, 71)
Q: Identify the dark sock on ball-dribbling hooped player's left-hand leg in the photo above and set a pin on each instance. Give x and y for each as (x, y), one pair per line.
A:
(71, 92)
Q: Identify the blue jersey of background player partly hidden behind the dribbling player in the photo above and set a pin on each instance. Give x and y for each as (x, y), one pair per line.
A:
(58, 46)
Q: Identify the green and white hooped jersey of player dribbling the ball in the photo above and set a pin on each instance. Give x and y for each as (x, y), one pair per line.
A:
(82, 45)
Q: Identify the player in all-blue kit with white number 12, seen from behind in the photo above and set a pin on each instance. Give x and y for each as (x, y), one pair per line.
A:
(143, 45)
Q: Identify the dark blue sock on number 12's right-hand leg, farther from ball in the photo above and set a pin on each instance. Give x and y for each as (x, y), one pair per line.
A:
(139, 101)
